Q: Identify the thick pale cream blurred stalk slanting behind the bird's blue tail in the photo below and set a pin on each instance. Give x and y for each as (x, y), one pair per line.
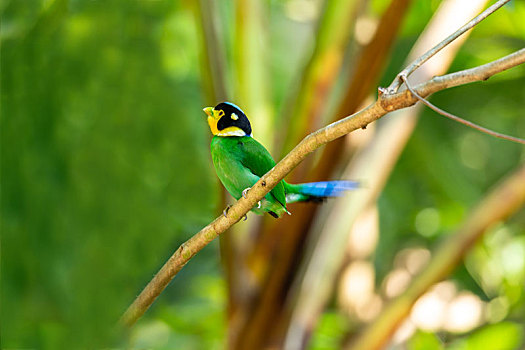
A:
(373, 165)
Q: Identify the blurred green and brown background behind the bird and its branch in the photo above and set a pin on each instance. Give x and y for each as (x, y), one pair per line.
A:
(105, 171)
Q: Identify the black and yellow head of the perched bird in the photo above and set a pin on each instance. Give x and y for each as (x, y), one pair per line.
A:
(226, 119)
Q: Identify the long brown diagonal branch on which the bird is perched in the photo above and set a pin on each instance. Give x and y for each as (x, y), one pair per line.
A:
(385, 103)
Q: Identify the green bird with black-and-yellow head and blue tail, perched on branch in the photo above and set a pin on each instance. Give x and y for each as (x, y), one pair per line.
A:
(240, 161)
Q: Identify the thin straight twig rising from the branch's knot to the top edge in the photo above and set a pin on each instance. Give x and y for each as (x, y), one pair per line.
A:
(394, 87)
